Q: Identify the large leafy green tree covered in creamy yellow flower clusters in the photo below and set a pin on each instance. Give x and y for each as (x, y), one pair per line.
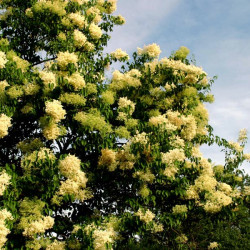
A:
(89, 163)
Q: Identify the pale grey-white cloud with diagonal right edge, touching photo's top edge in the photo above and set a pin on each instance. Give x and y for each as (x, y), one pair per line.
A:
(142, 18)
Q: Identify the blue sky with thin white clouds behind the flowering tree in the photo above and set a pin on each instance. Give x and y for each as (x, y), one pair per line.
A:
(217, 34)
